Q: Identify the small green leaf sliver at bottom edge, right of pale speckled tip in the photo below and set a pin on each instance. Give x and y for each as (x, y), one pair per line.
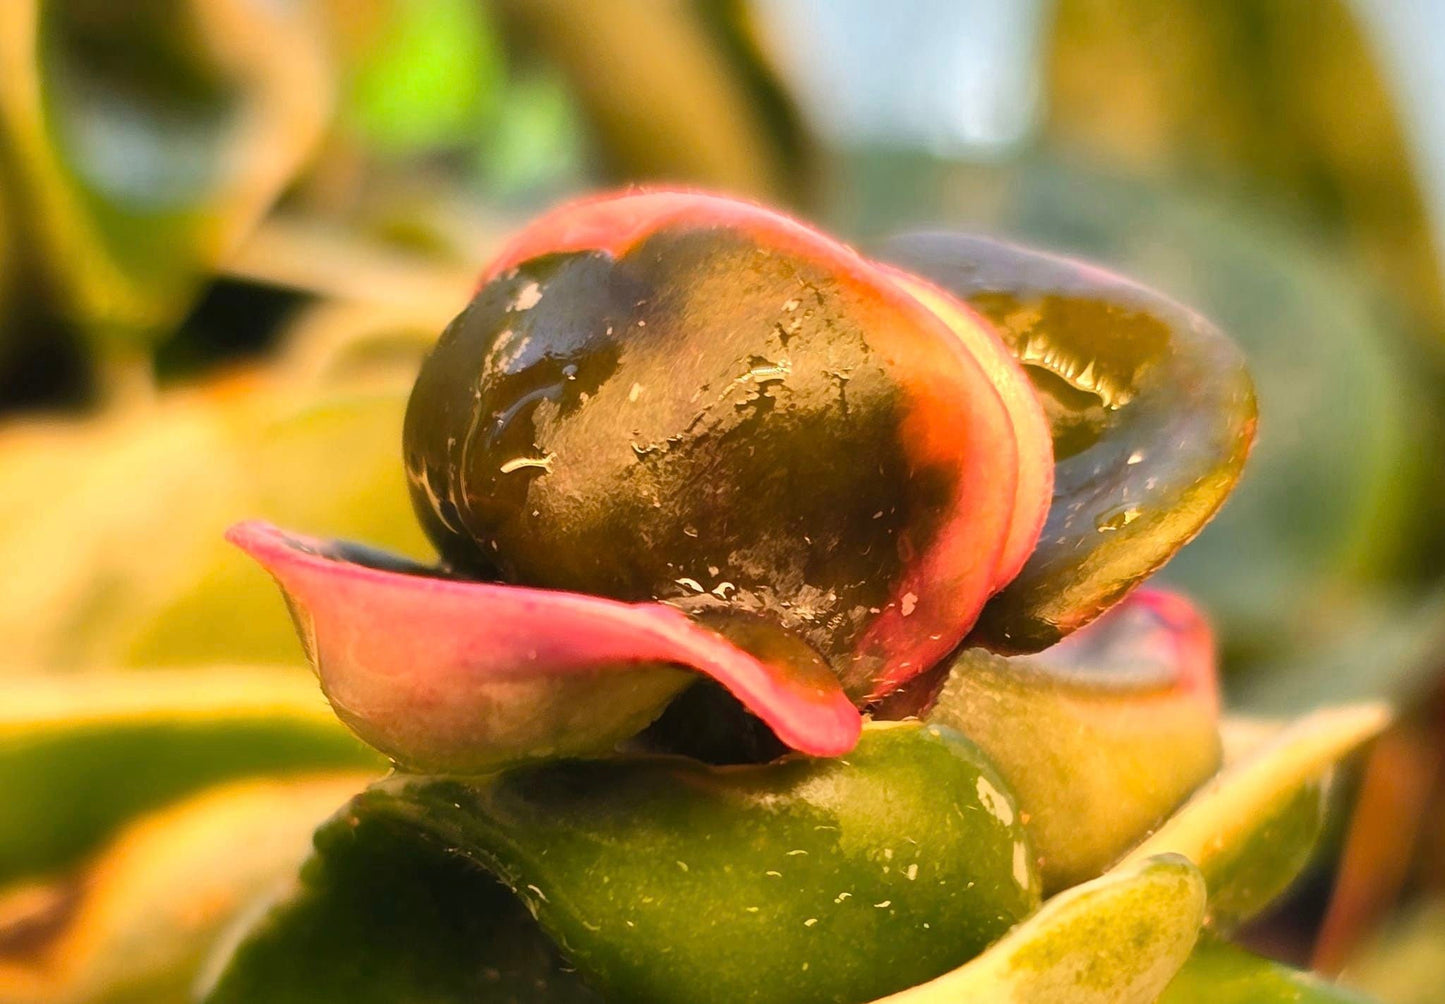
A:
(1222, 974)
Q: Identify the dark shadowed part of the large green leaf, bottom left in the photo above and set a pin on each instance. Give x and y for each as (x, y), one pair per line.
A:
(381, 914)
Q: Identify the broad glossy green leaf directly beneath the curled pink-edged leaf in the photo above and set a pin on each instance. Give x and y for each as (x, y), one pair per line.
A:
(664, 879)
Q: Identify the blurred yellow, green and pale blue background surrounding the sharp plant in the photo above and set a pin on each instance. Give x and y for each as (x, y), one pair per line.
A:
(229, 229)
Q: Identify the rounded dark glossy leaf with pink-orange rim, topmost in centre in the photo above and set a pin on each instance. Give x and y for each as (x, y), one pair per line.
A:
(632, 402)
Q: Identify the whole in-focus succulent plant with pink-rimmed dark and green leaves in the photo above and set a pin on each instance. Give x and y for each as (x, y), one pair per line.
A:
(787, 642)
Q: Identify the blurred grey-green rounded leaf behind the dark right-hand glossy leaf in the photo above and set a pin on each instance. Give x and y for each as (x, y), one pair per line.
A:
(1337, 402)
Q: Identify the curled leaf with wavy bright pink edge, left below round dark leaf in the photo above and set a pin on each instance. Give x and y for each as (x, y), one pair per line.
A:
(463, 677)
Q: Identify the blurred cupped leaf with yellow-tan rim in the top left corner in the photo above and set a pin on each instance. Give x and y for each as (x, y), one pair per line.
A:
(147, 139)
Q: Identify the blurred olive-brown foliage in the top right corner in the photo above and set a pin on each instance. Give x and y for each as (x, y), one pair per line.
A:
(1284, 99)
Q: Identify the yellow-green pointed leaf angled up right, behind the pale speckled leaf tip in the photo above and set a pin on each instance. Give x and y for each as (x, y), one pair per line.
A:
(1254, 827)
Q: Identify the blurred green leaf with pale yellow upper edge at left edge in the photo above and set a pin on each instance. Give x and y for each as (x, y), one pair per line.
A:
(83, 753)
